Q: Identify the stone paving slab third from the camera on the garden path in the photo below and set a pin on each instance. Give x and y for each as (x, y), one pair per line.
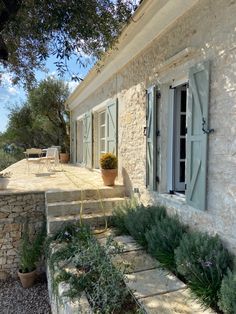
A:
(134, 261)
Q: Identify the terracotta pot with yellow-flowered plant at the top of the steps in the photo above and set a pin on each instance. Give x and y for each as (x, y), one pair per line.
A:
(108, 163)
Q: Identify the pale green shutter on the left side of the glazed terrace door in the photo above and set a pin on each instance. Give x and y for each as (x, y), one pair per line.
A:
(87, 139)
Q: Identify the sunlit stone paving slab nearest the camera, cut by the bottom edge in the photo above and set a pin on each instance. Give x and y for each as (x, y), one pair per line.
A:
(178, 302)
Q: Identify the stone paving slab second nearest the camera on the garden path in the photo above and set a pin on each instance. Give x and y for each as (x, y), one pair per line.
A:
(150, 282)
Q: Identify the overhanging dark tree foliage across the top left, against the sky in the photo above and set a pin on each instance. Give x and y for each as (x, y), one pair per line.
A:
(31, 30)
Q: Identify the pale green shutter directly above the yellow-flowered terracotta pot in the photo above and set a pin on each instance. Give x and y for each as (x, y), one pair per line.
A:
(111, 127)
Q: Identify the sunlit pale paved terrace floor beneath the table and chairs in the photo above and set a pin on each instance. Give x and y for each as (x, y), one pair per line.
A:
(66, 177)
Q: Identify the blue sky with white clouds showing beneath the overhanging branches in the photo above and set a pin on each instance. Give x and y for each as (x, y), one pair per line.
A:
(10, 94)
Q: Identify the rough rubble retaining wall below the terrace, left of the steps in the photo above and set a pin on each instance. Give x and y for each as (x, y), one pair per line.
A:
(14, 209)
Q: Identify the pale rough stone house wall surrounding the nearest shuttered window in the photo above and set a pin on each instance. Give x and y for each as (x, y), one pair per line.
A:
(208, 28)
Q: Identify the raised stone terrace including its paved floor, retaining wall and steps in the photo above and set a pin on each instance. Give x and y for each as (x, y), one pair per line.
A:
(28, 194)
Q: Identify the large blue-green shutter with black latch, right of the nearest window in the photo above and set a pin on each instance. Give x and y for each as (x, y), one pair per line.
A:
(198, 100)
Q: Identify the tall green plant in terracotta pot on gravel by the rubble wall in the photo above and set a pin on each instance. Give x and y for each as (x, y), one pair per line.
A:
(29, 253)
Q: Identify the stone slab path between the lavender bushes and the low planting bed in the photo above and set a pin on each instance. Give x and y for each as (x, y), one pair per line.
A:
(155, 289)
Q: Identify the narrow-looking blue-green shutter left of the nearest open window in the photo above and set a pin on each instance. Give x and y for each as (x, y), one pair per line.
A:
(151, 142)
